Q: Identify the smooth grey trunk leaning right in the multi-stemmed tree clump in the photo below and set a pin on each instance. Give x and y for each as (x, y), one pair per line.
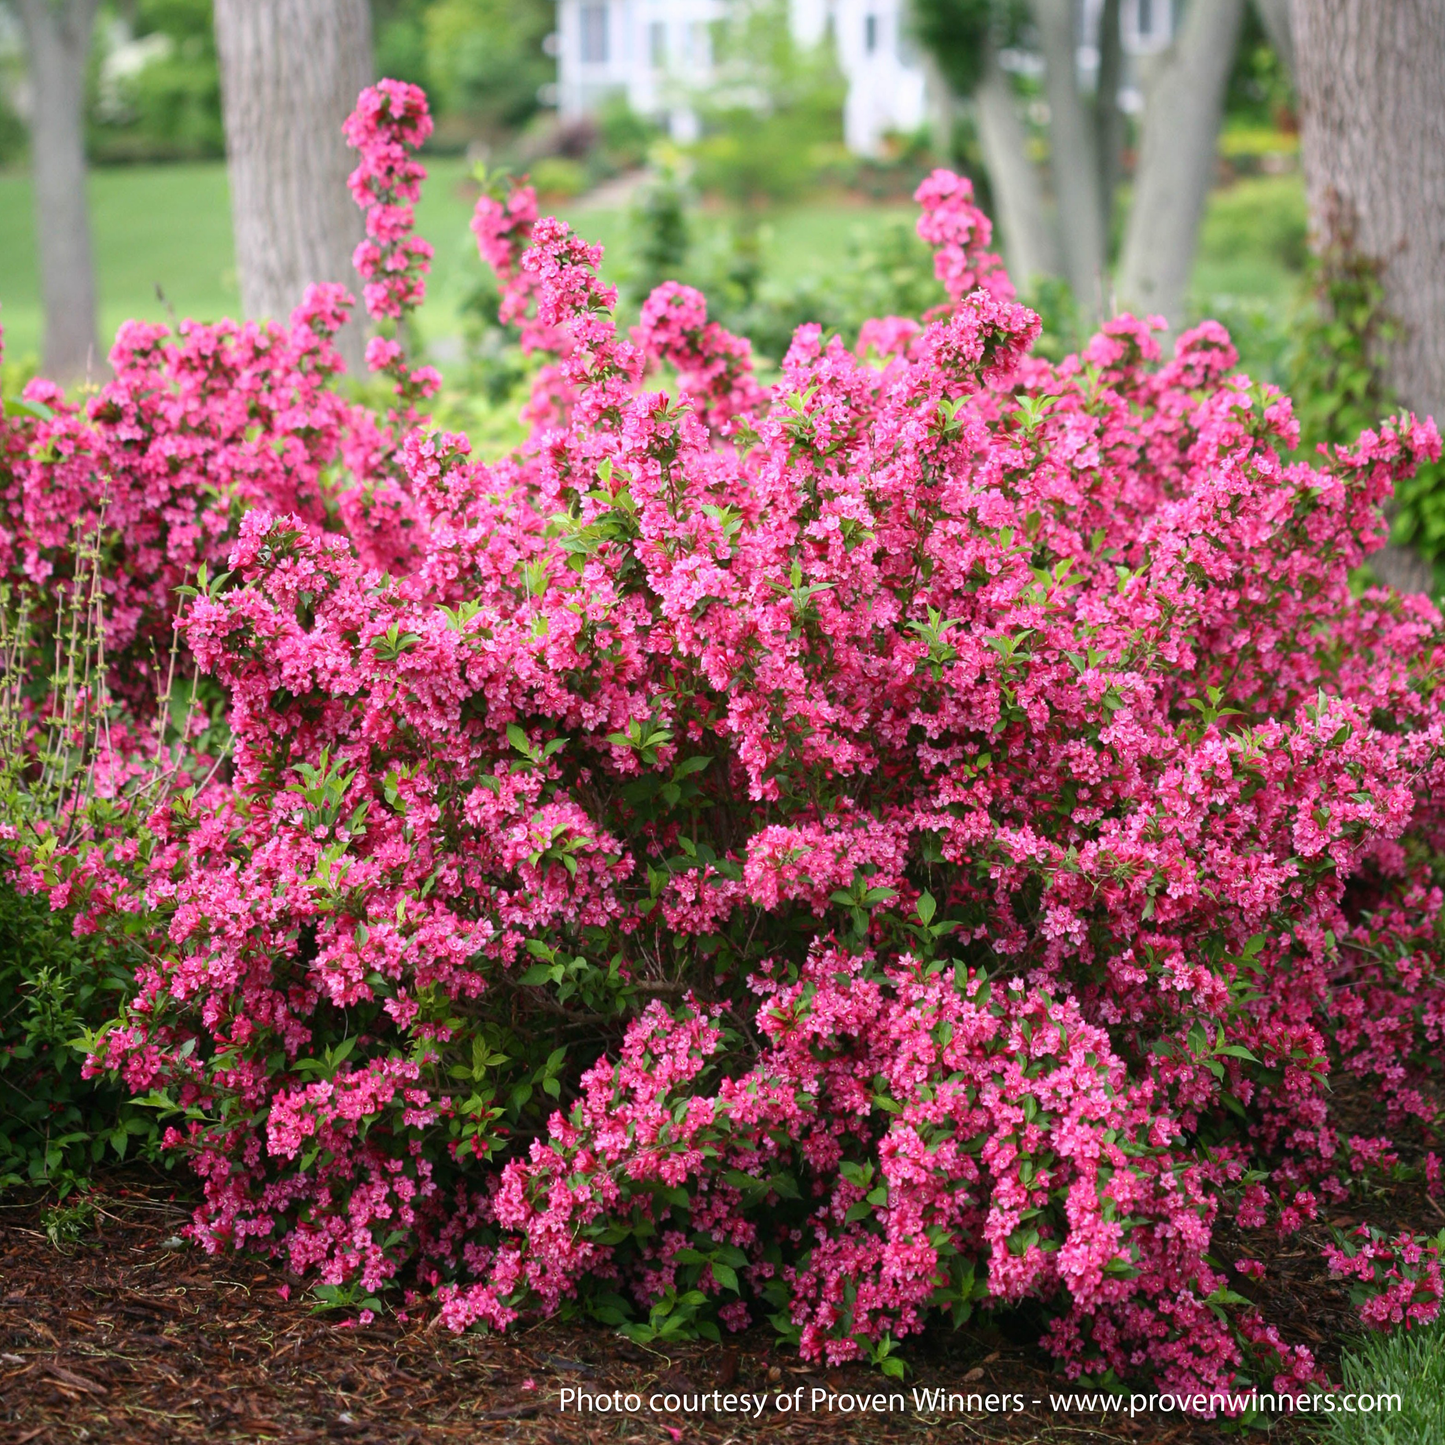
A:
(1183, 111)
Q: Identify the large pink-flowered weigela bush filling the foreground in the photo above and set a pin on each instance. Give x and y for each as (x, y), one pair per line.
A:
(915, 839)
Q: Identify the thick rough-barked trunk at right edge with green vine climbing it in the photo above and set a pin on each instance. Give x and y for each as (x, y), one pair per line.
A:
(1373, 141)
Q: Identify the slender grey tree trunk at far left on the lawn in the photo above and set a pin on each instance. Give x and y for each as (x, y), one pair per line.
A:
(59, 35)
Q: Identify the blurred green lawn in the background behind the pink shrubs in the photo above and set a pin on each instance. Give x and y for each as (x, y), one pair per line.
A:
(167, 229)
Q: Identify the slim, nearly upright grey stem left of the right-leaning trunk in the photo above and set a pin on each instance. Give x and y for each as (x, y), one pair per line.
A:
(1076, 158)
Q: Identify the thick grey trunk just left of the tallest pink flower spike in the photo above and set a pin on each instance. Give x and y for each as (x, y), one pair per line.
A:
(291, 72)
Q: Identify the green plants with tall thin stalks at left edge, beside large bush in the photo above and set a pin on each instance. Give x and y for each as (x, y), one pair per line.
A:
(61, 989)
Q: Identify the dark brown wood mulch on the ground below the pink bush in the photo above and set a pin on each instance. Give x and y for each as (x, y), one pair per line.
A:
(126, 1336)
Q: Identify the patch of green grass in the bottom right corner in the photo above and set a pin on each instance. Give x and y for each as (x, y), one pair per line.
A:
(1410, 1363)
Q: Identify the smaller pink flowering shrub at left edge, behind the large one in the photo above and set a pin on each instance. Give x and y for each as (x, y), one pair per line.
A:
(191, 431)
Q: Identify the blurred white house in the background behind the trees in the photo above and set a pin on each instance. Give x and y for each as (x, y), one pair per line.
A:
(657, 51)
